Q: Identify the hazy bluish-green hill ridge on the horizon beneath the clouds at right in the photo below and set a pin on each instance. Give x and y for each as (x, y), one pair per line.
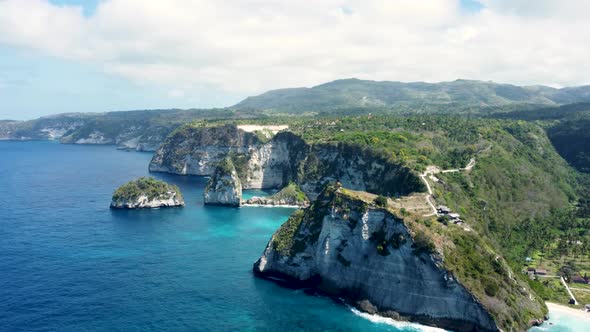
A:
(355, 93)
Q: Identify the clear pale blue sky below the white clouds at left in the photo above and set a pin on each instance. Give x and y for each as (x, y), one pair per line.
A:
(34, 85)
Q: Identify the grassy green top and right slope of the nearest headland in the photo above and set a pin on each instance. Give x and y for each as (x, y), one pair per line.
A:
(462, 251)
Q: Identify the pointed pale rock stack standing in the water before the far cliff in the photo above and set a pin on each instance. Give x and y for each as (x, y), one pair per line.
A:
(224, 187)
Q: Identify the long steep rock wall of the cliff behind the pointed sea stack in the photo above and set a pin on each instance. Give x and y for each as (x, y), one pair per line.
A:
(282, 159)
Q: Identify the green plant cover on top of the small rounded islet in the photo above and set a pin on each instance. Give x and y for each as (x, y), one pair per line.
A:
(150, 187)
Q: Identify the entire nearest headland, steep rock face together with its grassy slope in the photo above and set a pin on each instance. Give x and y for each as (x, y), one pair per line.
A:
(349, 248)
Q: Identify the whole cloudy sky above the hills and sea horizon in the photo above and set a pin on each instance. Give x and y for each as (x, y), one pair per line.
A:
(106, 55)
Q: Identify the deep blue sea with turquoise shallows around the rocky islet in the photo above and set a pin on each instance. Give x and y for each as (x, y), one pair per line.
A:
(69, 263)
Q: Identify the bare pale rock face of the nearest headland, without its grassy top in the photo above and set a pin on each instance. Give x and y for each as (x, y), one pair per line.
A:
(344, 261)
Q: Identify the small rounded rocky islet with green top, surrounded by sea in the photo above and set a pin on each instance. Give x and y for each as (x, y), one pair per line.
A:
(146, 193)
